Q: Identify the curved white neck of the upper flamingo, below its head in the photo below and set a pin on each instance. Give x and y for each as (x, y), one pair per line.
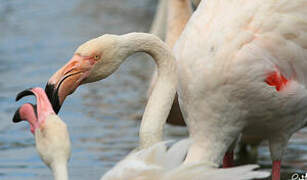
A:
(162, 96)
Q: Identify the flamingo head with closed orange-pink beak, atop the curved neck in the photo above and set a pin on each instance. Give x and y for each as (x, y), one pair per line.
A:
(94, 60)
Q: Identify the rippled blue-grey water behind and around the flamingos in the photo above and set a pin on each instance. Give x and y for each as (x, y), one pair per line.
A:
(37, 38)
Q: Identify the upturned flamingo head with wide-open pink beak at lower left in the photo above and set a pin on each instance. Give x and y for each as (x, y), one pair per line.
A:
(51, 134)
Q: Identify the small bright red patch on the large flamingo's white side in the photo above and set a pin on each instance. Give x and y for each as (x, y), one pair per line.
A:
(277, 80)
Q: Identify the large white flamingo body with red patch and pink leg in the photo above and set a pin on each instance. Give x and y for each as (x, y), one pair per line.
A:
(242, 68)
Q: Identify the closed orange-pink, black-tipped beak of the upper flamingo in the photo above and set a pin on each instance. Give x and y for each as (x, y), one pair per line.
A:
(67, 79)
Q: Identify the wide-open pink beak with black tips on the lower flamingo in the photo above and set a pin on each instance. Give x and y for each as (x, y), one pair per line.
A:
(34, 114)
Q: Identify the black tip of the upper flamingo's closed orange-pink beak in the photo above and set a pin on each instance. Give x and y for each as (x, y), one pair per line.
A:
(53, 97)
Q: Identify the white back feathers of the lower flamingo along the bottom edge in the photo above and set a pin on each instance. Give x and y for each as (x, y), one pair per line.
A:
(159, 162)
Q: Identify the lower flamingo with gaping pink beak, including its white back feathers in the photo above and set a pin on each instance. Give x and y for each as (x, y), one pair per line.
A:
(156, 162)
